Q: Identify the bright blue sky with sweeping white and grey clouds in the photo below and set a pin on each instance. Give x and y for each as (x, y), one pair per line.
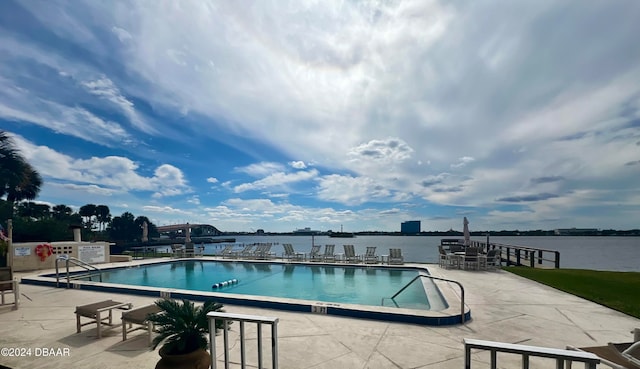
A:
(291, 114)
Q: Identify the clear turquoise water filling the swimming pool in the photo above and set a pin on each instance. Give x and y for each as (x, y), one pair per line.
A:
(333, 284)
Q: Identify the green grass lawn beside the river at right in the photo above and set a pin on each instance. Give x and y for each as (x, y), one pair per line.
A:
(617, 290)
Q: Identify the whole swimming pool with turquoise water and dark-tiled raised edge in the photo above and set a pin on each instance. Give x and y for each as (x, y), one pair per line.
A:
(352, 291)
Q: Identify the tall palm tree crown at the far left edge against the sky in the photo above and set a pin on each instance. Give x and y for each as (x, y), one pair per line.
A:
(18, 179)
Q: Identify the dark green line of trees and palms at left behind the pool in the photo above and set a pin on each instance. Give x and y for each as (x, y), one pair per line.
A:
(20, 183)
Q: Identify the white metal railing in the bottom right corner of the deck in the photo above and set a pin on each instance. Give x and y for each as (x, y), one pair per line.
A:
(590, 360)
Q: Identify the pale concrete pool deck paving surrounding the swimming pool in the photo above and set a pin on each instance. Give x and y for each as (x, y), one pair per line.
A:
(504, 307)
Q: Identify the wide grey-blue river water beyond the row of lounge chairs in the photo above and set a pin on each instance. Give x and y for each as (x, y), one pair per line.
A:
(597, 253)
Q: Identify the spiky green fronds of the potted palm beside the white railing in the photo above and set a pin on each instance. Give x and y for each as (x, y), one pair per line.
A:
(183, 326)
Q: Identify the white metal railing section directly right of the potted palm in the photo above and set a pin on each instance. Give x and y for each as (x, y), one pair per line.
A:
(242, 319)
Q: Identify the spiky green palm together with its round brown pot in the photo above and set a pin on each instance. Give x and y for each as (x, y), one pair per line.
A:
(184, 329)
